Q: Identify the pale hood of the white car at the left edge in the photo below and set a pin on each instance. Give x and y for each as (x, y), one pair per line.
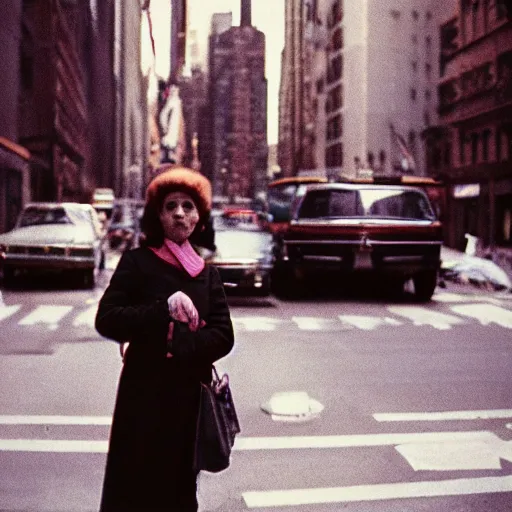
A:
(48, 235)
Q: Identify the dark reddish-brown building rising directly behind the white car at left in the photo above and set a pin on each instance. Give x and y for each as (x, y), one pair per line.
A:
(52, 117)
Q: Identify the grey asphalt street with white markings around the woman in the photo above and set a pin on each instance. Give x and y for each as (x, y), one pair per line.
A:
(395, 406)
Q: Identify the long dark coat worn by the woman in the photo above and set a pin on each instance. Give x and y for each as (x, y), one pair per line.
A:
(149, 463)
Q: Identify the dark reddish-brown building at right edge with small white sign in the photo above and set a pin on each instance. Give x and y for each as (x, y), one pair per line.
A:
(471, 146)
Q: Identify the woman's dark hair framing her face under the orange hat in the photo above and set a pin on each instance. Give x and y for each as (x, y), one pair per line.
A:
(152, 227)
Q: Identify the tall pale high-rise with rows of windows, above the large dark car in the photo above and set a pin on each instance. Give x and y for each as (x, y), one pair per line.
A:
(376, 94)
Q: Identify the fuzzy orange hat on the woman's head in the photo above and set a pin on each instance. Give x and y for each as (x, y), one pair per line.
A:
(181, 178)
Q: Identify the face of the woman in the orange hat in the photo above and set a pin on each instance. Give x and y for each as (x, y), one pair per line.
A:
(179, 216)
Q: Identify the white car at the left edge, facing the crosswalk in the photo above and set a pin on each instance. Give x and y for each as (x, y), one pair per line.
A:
(54, 237)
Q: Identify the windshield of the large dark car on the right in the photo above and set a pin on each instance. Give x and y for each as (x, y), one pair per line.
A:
(376, 203)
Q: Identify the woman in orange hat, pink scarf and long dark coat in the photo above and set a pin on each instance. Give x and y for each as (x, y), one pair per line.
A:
(171, 307)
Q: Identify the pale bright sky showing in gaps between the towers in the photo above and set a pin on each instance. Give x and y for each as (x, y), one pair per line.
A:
(267, 16)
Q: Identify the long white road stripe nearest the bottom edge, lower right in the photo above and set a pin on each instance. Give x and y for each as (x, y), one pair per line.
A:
(465, 486)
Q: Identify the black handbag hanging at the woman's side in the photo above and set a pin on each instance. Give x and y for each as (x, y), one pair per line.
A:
(217, 425)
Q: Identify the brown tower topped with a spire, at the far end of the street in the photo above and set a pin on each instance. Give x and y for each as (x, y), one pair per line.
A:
(238, 98)
